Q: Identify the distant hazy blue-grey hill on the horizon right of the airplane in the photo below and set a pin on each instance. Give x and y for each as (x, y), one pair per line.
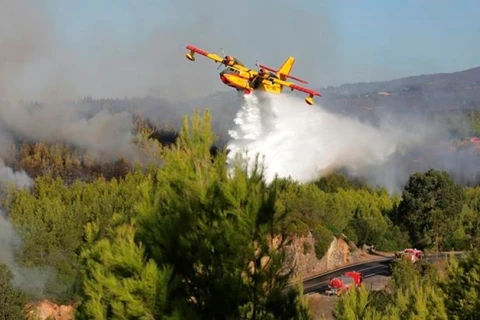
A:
(425, 93)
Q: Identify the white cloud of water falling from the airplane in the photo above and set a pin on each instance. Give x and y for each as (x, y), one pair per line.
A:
(305, 143)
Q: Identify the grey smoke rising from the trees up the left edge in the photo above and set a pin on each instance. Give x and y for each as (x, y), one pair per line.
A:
(27, 40)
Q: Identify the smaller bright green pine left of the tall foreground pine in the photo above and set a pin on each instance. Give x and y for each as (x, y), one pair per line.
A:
(117, 281)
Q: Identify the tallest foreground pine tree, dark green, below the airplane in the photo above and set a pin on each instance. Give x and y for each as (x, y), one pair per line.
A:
(215, 228)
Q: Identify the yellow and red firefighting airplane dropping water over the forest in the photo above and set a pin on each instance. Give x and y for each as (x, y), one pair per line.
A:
(240, 77)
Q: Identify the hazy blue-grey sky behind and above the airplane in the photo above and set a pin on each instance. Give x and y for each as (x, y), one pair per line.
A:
(335, 42)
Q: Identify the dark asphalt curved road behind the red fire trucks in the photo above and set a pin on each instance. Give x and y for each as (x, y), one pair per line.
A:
(369, 269)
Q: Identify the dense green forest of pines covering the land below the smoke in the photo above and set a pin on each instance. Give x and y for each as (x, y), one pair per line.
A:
(186, 236)
